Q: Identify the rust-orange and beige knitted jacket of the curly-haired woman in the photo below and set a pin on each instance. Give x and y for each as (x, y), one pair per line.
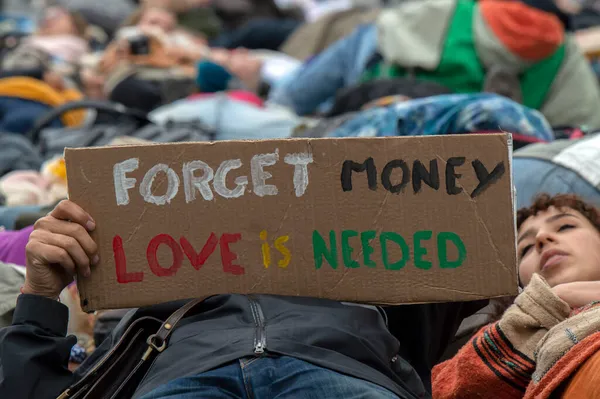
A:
(535, 350)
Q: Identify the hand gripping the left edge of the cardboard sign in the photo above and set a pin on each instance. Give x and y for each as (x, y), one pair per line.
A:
(58, 248)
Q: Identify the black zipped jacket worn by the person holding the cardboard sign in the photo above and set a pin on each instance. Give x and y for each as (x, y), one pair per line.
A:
(347, 338)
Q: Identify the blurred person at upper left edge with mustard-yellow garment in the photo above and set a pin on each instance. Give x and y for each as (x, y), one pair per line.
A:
(39, 72)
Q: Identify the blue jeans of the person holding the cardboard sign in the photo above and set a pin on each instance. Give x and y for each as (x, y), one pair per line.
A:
(270, 378)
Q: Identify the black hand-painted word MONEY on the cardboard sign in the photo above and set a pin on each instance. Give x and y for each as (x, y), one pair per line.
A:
(421, 174)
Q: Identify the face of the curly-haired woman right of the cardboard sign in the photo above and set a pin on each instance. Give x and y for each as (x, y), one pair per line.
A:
(561, 245)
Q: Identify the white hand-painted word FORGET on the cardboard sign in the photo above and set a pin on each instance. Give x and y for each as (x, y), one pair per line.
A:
(197, 176)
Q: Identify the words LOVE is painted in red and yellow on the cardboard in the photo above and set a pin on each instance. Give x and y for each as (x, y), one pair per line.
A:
(196, 259)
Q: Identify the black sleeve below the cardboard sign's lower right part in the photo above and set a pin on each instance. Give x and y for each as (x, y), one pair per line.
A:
(425, 330)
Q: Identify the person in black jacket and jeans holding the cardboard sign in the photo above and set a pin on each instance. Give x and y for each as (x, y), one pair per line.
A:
(315, 348)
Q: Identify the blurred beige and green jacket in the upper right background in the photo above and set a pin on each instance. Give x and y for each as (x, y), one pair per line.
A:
(450, 43)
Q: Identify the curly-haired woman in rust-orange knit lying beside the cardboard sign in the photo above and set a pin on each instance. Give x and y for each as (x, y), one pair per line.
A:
(551, 333)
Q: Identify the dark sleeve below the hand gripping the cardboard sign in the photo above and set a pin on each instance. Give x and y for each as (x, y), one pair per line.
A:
(34, 350)
